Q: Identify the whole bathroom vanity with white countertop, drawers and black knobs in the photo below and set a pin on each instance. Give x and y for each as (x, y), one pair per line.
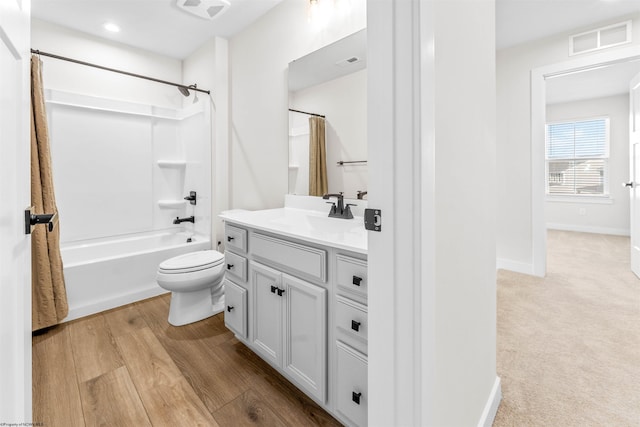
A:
(296, 294)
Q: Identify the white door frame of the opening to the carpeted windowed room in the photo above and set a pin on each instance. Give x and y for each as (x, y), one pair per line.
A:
(538, 115)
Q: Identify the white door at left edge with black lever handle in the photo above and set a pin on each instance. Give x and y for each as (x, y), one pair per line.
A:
(15, 246)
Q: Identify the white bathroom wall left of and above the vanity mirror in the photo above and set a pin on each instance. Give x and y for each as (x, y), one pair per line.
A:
(259, 57)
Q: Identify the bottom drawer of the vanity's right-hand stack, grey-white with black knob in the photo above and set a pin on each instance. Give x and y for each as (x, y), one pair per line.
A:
(351, 388)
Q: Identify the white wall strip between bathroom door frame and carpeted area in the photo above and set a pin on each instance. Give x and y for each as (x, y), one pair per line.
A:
(465, 223)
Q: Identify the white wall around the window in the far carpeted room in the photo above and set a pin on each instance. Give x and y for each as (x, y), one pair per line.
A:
(609, 218)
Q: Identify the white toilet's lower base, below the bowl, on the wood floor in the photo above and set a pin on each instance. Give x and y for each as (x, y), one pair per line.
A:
(190, 307)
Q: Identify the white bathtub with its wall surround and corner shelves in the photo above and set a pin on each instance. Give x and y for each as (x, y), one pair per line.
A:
(161, 155)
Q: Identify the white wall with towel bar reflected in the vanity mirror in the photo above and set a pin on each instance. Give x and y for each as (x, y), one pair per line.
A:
(344, 103)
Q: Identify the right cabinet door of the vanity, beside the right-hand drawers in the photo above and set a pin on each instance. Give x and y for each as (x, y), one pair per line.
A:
(305, 322)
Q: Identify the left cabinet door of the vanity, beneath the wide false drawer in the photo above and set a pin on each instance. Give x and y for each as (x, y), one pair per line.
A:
(266, 331)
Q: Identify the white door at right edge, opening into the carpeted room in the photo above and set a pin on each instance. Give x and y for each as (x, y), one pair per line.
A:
(634, 168)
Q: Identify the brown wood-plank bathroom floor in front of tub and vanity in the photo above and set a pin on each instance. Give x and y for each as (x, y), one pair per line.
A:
(129, 367)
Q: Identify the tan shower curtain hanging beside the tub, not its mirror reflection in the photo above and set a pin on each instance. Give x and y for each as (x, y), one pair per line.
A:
(48, 293)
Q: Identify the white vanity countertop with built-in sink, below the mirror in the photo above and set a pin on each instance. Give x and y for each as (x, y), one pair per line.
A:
(308, 225)
